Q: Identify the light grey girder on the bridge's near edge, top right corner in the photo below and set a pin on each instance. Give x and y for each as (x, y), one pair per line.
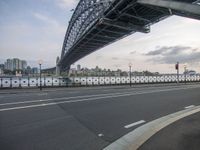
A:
(179, 8)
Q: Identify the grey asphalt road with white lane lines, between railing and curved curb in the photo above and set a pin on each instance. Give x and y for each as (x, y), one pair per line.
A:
(84, 118)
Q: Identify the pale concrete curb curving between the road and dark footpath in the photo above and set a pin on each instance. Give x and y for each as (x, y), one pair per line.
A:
(133, 140)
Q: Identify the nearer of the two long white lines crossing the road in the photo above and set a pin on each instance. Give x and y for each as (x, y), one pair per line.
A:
(87, 99)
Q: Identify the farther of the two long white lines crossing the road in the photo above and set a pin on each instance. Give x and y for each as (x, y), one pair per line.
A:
(85, 96)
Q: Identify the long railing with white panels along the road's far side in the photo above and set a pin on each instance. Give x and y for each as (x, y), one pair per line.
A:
(24, 82)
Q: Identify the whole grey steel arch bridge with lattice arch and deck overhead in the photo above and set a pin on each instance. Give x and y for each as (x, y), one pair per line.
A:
(97, 23)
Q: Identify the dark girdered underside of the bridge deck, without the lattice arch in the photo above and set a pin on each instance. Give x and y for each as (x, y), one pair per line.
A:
(123, 18)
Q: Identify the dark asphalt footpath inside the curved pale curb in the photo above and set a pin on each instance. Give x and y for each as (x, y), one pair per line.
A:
(181, 135)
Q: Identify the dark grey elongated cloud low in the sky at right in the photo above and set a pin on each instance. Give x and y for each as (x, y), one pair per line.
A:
(172, 54)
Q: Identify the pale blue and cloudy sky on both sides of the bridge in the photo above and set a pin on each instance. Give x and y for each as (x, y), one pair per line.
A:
(35, 29)
